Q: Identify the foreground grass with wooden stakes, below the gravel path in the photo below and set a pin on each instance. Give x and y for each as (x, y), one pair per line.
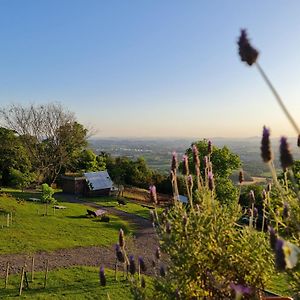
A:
(71, 283)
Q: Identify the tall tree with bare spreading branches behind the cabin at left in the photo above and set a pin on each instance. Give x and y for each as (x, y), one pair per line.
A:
(50, 135)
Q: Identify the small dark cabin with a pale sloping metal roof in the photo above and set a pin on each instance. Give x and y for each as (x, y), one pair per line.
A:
(89, 185)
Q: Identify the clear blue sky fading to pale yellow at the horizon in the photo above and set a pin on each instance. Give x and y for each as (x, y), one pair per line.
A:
(153, 68)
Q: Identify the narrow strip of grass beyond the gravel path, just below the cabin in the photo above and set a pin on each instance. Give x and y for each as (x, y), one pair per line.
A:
(130, 207)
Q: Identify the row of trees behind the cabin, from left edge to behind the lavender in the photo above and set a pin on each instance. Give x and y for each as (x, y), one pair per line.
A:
(41, 142)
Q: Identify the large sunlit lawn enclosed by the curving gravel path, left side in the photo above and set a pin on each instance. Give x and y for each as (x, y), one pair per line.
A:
(31, 231)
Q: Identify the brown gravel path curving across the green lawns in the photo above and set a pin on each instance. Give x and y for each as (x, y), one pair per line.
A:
(142, 244)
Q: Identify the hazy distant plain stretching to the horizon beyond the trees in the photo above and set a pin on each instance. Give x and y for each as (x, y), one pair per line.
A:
(158, 152)
